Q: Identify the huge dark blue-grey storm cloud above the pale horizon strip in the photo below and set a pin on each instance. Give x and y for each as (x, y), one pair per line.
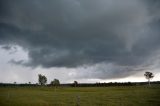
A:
(73, 33)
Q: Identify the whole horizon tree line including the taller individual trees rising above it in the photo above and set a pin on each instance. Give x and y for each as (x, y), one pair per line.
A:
(42, 81)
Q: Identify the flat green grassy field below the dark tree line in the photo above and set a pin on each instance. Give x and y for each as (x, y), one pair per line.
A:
(81, 96)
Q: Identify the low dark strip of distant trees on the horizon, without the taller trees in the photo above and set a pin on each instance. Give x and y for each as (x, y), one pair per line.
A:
(80, 84)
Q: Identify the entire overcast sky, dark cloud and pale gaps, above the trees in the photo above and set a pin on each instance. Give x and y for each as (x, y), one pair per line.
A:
(83, 40)
